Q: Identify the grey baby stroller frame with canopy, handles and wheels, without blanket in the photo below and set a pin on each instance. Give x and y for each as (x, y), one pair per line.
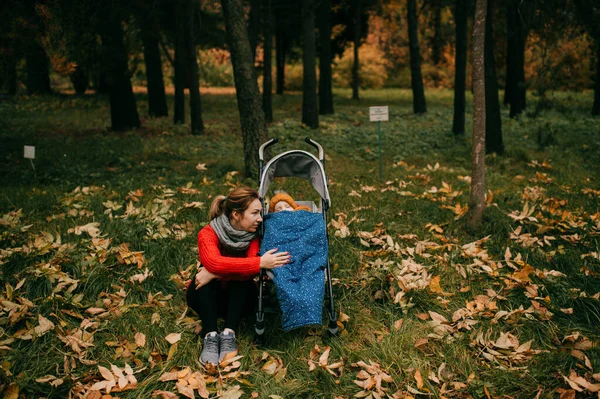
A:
(301, 164)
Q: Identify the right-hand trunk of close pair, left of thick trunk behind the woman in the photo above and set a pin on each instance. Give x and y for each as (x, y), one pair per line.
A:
(197, 125)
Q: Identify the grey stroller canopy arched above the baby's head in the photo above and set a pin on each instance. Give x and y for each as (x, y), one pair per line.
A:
(295, 163)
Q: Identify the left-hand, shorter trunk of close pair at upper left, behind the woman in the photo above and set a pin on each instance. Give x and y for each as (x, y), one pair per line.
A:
(180, 64)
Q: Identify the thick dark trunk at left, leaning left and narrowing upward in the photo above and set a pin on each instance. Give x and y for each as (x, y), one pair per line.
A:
(123, 110)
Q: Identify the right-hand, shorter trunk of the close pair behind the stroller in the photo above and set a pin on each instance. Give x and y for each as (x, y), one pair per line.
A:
(325, 77)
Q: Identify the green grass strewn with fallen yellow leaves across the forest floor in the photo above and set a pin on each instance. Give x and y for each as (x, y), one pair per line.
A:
(82, 170)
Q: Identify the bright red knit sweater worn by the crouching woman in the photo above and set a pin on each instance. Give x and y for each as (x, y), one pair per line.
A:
(227, 265)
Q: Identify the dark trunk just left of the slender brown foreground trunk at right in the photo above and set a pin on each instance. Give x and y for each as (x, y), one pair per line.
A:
(460, 72)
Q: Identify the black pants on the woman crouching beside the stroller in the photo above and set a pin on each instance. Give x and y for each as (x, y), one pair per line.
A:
(228, 299)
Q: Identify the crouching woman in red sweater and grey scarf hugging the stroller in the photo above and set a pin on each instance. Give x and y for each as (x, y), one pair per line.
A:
(228, 248)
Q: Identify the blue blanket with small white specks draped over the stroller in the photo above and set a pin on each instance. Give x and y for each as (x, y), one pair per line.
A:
(300, 284)
